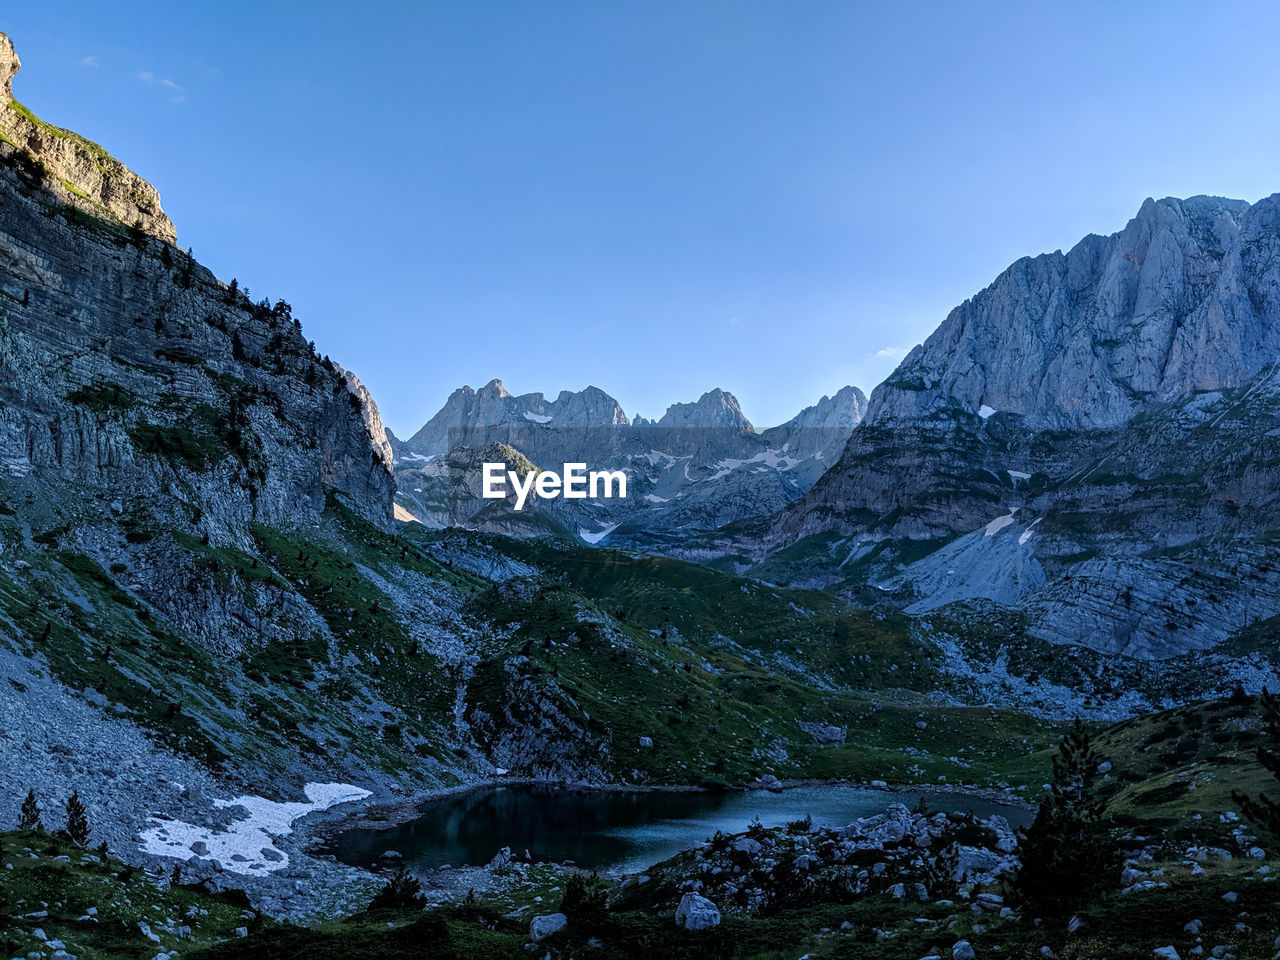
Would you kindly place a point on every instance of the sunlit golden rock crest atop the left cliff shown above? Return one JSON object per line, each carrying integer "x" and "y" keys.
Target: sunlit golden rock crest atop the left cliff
{"x": 77, "y": 171}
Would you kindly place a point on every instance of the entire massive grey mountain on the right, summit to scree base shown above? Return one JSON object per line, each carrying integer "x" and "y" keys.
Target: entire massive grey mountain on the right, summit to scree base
{"x": 1099, "y": 428}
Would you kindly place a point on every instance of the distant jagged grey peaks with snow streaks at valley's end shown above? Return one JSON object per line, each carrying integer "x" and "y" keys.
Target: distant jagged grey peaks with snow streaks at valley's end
{"x": 700, "y": 467}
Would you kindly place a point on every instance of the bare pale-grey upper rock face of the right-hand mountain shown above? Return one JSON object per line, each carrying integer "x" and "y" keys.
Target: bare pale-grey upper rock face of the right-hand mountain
{"x": 1183, "y": 300}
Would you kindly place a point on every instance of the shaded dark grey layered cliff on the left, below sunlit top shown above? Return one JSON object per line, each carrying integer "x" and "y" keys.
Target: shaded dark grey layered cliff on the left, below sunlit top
{"x": 127, "y": 368}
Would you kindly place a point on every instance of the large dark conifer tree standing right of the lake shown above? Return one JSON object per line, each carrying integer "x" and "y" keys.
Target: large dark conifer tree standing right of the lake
{"x": 1067, "y": 860}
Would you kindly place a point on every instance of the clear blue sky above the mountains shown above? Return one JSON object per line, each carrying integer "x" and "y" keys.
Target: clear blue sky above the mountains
{"x": 655, "y": 198}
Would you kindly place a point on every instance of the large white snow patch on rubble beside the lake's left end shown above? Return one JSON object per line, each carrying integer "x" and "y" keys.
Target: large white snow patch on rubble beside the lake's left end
{"x": 253, "y": 839}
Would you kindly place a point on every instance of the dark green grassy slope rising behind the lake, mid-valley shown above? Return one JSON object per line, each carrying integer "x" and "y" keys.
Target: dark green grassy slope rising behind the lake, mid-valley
{"x": 720, "y": 671}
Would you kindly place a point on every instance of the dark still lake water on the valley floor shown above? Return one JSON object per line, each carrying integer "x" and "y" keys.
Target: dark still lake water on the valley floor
{"x": 619, "y": 831}
